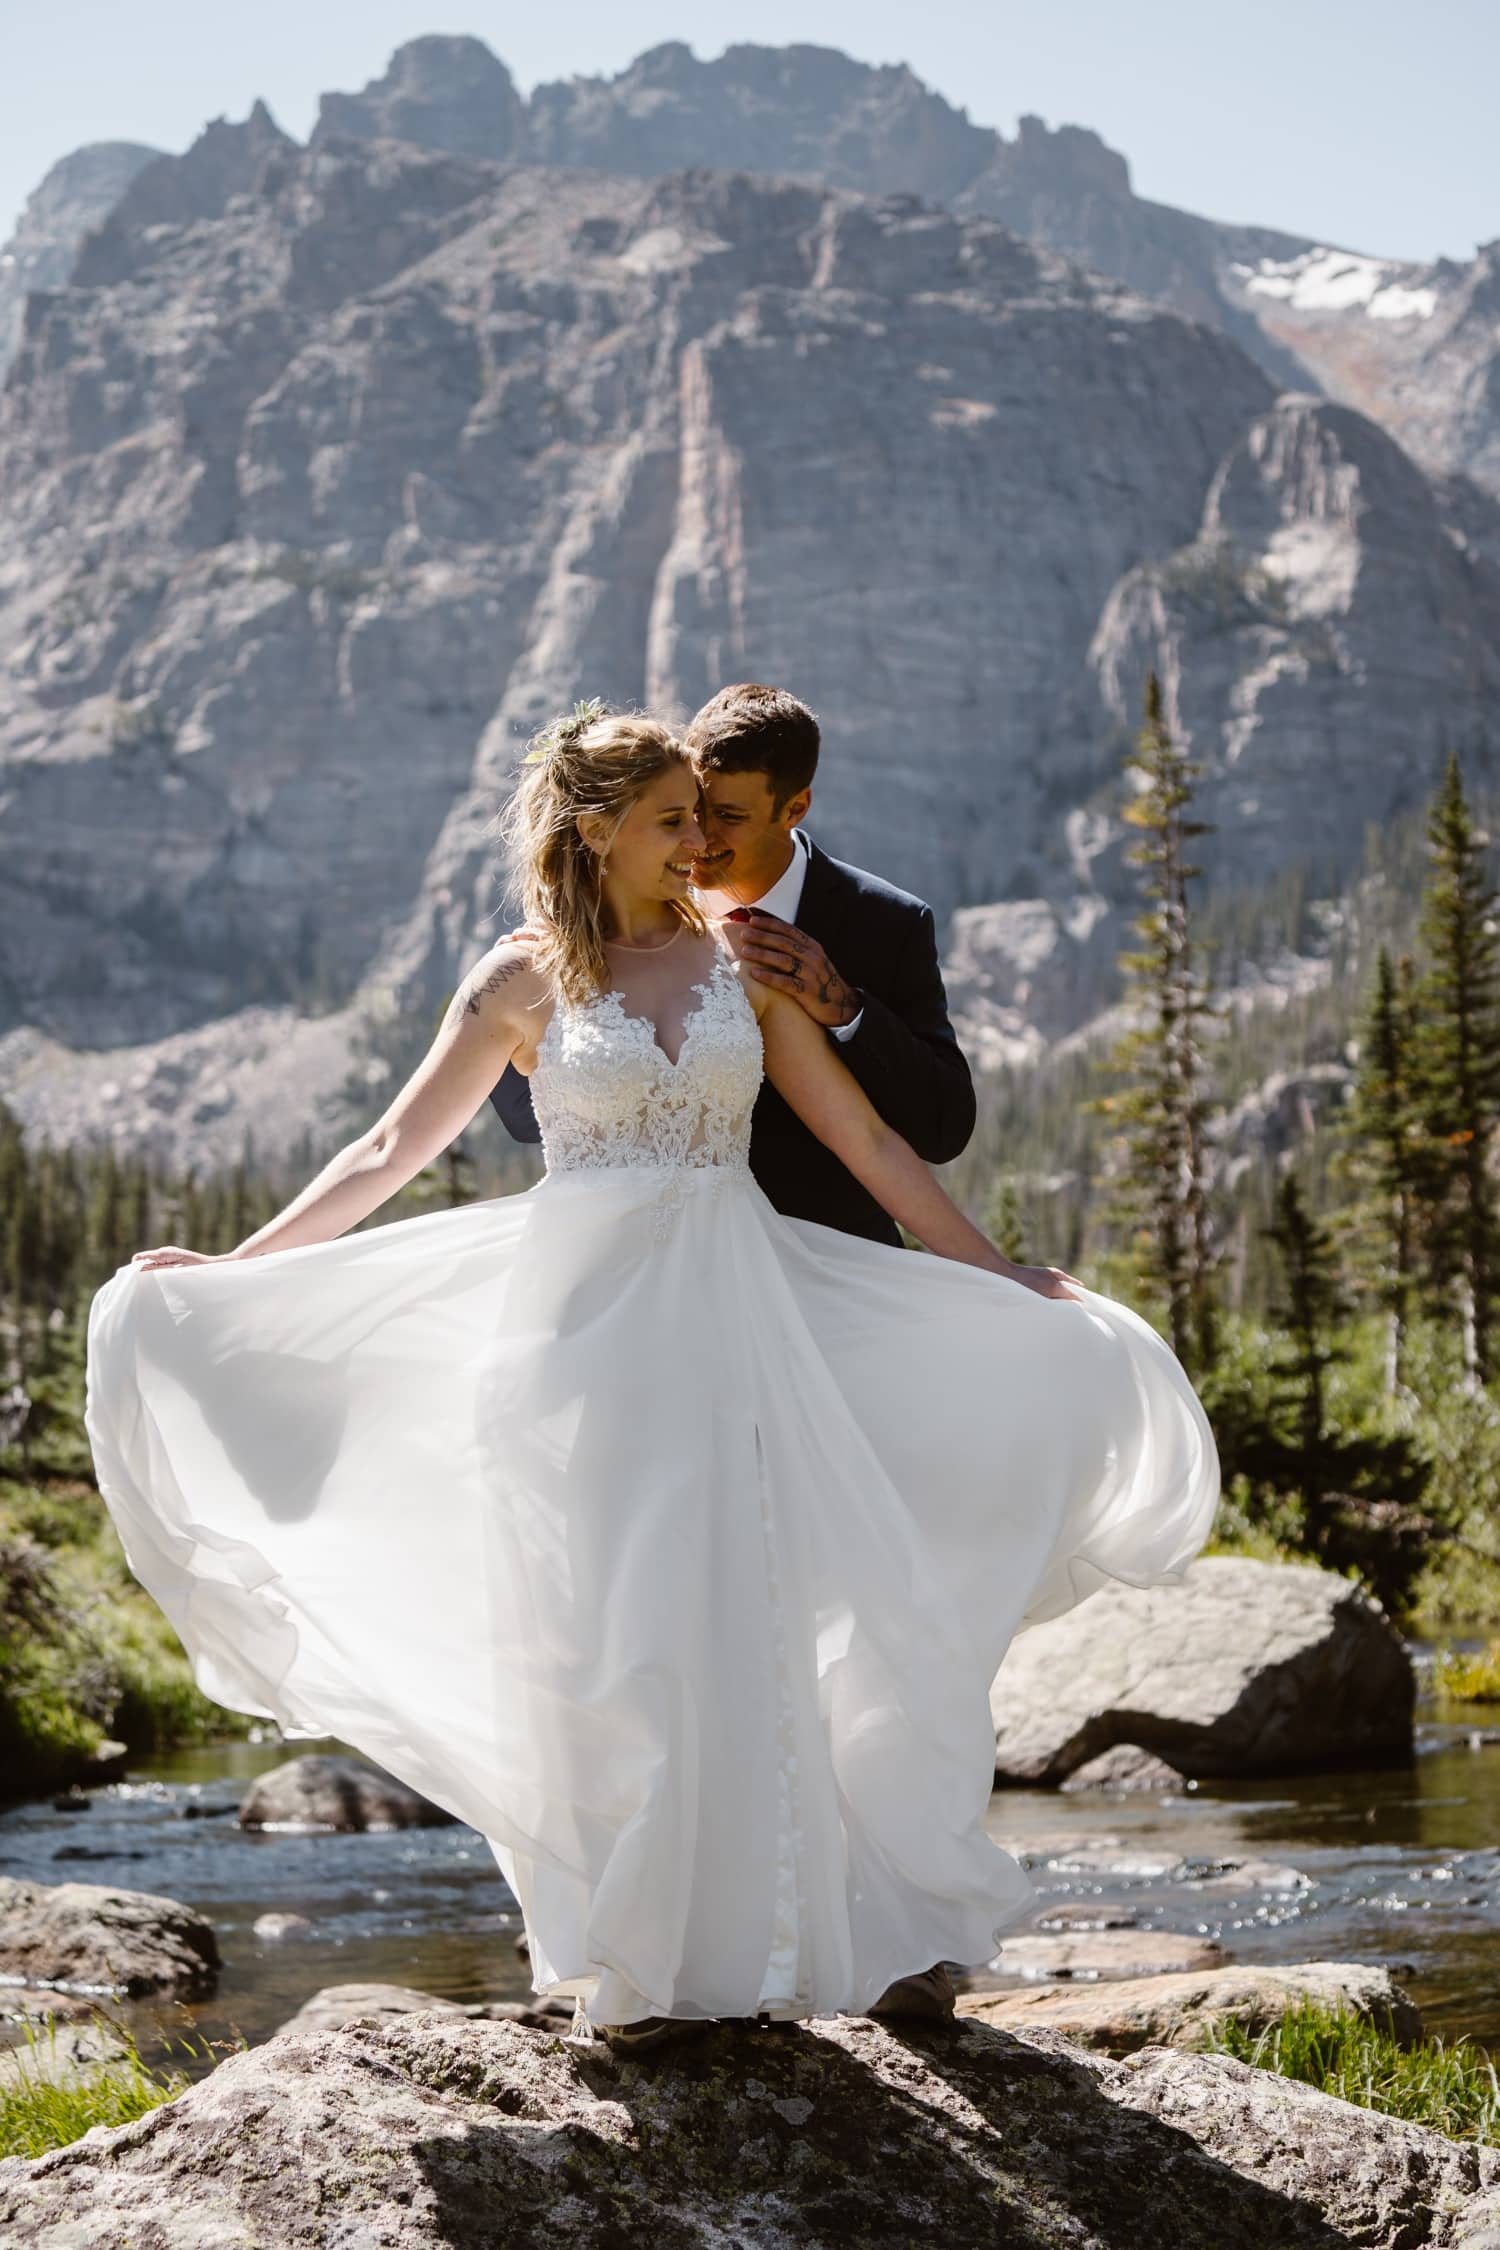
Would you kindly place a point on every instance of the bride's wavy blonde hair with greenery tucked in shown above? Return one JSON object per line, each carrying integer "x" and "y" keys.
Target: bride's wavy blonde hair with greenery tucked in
{"x": 590, "y": 762}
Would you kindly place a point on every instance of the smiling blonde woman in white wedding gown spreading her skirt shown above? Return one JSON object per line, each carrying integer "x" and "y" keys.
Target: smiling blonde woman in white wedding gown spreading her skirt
{"x": 669, "y": 1542}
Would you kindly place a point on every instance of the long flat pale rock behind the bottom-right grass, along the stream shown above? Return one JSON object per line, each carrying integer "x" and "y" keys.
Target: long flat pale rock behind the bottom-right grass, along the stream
{"x": 1186, "y": 2008}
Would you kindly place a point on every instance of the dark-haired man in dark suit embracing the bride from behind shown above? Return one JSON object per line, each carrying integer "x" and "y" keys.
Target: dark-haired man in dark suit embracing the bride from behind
{"x": 856, "y": 953}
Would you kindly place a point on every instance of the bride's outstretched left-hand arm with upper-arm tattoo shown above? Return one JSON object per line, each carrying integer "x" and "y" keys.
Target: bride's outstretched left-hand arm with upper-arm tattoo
{"x": 482, "y": 1029}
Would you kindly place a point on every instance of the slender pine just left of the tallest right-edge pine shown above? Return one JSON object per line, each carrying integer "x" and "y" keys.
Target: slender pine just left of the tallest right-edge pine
{"x": 1384, "y": 1133}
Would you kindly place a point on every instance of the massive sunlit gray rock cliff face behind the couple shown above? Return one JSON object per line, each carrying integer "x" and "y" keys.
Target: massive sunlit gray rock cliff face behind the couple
{"x": 334, "y": 471}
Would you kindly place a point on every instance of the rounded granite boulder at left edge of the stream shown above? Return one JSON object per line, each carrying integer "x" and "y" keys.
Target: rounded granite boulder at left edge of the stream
{"x": 96, "y": 1938}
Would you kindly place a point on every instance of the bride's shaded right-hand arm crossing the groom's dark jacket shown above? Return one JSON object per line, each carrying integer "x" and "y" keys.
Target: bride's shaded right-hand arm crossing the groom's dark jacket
{"x": 829, "y": 1099}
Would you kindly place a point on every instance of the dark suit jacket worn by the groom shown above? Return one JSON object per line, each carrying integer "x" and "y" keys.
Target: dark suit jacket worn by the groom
{"x": 905, "y": 1052}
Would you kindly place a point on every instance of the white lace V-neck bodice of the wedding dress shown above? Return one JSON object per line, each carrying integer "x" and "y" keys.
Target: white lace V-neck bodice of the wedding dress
{"x": 608, "y": 1095}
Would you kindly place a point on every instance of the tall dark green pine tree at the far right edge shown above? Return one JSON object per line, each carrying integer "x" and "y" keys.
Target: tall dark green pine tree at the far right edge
{"x": 1458, "y": 1068}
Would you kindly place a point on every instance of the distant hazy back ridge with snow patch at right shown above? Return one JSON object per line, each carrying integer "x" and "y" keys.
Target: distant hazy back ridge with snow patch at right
{"x": 1416, "y": 348}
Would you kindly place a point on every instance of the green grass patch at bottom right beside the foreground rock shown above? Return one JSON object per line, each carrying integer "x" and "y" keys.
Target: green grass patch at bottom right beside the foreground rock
{"x": 1452, "y": 2089}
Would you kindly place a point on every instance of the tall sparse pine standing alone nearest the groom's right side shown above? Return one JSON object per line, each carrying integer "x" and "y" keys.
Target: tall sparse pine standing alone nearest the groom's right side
{"x": 1164, "y": 1108}
